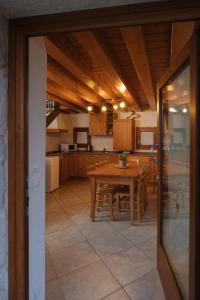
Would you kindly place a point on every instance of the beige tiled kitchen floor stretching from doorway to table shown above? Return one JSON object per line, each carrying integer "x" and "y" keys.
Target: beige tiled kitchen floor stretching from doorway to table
{"x": 100, "y": 260}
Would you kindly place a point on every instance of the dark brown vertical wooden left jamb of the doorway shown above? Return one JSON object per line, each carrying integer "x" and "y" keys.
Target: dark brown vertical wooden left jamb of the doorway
{"x": 17, "y": 166}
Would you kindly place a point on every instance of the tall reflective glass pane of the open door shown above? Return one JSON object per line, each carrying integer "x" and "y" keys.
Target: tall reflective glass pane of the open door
{"x": 176, "y": 176}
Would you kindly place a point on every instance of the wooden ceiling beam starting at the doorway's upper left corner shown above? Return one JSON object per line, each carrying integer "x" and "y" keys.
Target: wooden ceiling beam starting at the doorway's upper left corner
{"x": 64, "y": 56}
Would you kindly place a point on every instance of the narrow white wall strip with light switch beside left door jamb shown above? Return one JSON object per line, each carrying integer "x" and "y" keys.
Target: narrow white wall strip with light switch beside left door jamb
{"x": 37, "y": 123}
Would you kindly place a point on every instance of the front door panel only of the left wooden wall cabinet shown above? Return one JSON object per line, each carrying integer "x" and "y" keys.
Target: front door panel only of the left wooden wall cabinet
{"x": 98, "y": 124}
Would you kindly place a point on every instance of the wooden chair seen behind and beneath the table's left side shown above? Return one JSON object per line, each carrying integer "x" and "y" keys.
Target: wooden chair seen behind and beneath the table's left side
{"x": 105, "y": 193}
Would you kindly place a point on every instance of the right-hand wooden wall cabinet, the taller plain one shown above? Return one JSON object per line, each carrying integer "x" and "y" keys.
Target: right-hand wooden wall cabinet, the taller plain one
{"x": 124, "y": 134}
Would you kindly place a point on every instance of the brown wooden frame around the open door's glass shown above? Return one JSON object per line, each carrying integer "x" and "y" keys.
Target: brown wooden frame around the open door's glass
{"x": 188, "y": 56}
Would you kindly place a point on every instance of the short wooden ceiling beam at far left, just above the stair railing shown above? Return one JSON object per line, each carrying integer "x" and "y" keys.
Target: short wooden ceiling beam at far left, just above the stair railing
{"x": 56, "y": 89}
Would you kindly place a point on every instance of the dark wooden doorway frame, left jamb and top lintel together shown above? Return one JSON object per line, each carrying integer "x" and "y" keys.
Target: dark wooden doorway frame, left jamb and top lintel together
{"x": 20, "y": 30}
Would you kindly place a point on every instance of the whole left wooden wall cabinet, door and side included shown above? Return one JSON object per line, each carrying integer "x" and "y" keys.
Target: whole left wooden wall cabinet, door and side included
{"x": 101, "y": 123}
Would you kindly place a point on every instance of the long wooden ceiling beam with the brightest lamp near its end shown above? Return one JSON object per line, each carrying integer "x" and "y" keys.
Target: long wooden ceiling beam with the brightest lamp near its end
{"x": 90, "y": 42}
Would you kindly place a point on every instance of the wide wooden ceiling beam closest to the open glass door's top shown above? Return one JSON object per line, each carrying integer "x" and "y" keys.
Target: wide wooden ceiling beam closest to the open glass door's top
{"x": 135, "y": 43}
